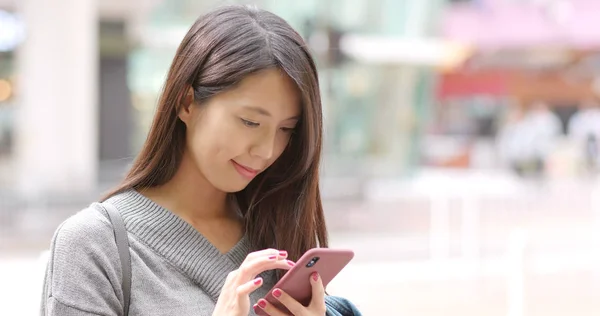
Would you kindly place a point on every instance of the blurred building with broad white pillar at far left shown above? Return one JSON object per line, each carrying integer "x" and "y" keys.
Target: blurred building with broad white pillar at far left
{"x": 67, "y": 112}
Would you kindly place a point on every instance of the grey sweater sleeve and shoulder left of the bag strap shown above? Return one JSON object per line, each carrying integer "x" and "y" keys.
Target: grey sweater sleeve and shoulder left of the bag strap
{"x": 83, "y": 276}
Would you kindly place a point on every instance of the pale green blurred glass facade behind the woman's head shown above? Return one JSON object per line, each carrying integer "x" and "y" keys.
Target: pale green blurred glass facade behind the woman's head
{"x": 374, "y": 109}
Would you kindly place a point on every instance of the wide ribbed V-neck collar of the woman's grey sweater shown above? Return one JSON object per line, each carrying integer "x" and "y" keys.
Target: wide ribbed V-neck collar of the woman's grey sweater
{"x": 179, "y": 242}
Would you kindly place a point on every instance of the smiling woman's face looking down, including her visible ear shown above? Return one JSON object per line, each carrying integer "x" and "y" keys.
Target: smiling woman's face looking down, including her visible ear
{"x": 237, "y": 134}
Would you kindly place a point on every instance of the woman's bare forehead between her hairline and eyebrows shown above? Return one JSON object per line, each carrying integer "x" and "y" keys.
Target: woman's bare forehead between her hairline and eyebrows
{"x": 272, "y": 90}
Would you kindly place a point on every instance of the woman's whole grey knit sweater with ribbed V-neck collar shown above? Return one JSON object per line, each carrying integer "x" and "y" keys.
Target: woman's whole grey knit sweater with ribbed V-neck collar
{"x": 175, "y": 270}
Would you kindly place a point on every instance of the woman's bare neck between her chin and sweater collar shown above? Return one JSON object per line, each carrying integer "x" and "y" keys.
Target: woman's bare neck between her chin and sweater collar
{"x": 190, "y": 195}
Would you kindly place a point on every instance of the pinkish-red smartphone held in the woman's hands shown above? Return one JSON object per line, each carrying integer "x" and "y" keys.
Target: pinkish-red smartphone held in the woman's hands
{"x": 325, "y": 261}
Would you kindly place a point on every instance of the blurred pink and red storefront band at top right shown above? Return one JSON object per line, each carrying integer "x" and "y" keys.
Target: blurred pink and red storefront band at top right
{"x": 530, "y": 50}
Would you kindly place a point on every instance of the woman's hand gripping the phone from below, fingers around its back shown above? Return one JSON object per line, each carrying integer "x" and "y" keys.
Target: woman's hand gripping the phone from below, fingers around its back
{"x": 315, "y": 308}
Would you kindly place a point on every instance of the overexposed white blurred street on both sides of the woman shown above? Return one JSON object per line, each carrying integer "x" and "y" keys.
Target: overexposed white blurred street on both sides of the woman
{"x": 545, "y": 252}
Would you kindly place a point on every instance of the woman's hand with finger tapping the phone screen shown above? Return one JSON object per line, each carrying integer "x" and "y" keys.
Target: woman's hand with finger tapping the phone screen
{"x": 234, "y": 299}
